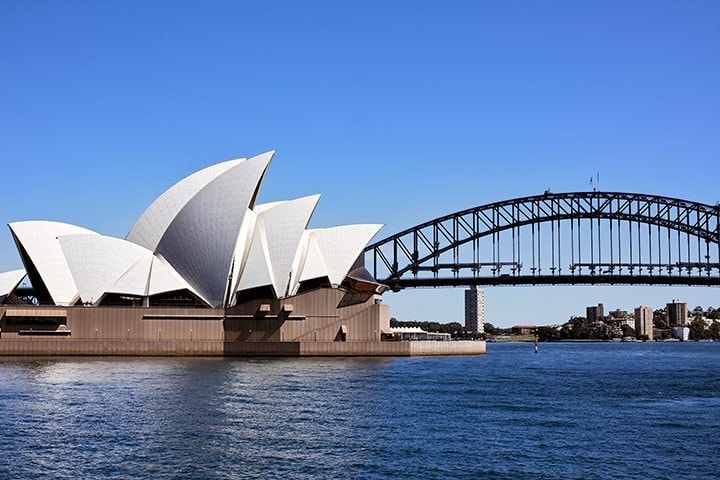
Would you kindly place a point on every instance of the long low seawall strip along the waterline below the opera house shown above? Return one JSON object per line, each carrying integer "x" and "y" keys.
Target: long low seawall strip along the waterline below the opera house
{"x": 69, "y": 347}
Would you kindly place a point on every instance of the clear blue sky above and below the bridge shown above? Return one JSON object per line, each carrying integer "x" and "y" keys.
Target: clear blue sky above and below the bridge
{"x": 396, "y": 112}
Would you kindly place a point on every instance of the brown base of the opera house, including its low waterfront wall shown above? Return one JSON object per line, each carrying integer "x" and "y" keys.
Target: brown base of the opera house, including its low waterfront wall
{"x": 310, "y": 324}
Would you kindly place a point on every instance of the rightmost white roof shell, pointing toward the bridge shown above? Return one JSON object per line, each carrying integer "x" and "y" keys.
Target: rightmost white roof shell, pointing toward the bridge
{"x": 336, "y": 249}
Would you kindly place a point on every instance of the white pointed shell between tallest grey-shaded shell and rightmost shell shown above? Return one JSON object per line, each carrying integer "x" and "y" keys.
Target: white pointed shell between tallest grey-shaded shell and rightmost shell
{"x": 277, "y": 248}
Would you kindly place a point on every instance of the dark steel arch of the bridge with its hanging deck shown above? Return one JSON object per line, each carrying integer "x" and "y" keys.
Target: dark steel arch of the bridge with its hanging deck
{"x": 588, "y": 238}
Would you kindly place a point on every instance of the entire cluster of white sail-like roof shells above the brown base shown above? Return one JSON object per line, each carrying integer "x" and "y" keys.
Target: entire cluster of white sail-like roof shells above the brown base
{"x": 203, "y": 234}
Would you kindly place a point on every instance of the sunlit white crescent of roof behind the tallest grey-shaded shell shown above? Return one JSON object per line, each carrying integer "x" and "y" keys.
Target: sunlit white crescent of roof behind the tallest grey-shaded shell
{"x": 152, "y": 224}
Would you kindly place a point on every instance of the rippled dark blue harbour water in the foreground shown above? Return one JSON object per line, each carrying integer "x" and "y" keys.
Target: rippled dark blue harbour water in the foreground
{"x": 582, "y": 410}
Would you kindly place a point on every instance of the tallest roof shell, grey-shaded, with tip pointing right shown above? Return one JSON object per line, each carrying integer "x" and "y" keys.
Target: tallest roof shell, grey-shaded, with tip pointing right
{"x": 200, "y": 241}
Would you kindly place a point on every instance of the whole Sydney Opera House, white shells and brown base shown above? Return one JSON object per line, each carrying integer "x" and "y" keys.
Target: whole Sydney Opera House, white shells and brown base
{"x": 205, "y": 270}
